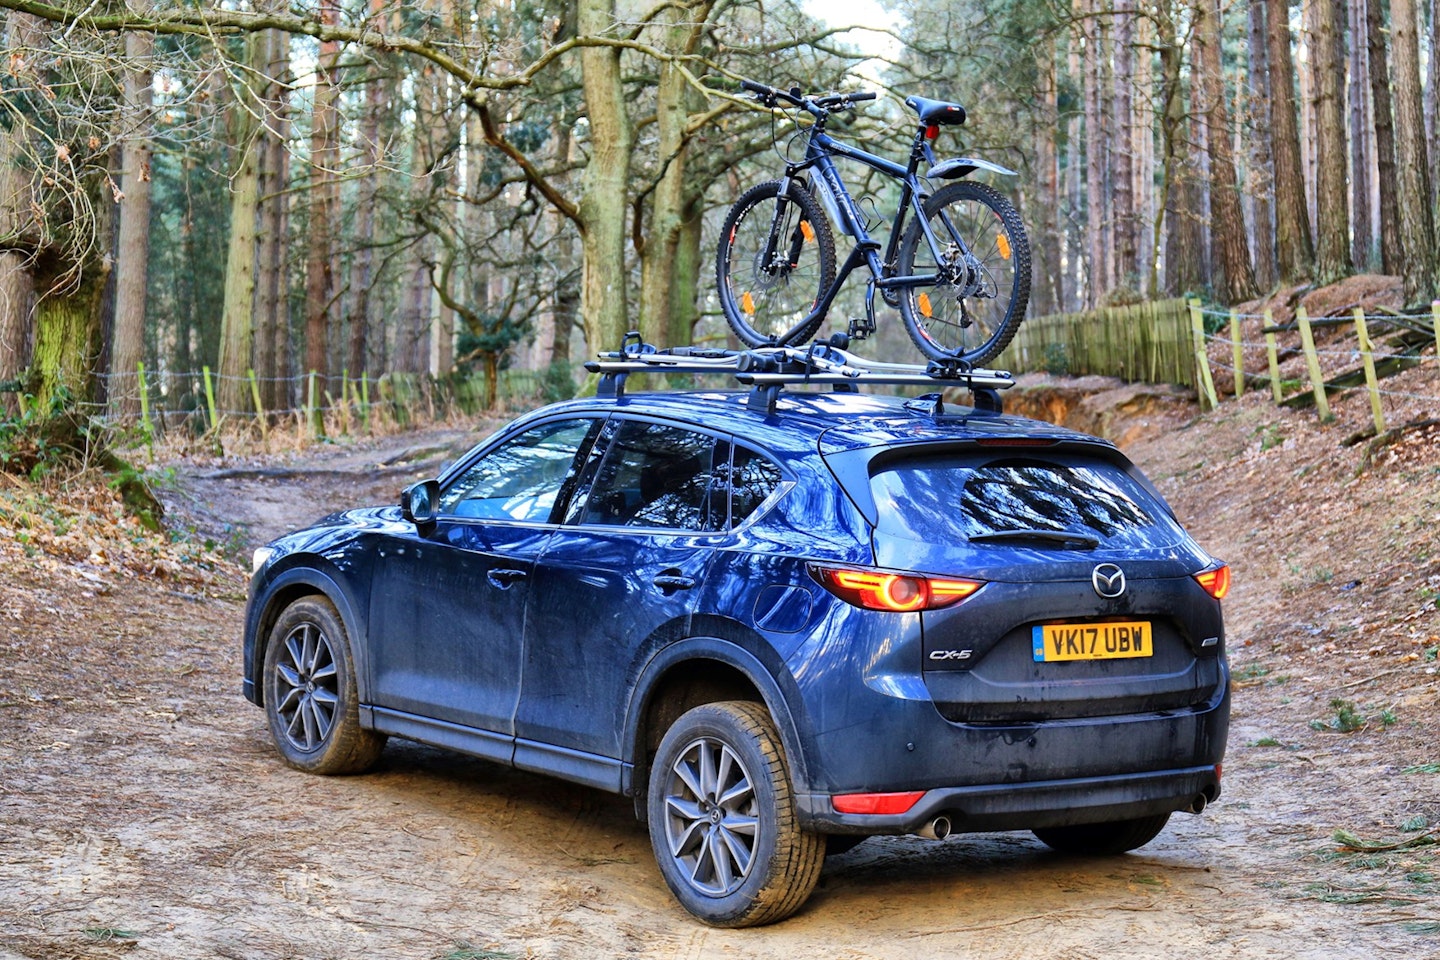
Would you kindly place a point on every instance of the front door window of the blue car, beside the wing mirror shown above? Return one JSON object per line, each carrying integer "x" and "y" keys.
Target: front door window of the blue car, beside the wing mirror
{"x": 521, "y": 480}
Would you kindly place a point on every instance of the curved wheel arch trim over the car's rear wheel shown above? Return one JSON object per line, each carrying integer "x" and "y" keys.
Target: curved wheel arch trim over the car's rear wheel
{"x": 690, "y": 674}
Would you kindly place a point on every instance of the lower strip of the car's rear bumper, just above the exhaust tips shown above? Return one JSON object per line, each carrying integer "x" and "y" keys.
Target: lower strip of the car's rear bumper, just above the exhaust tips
{"x": 1013, "y": 807}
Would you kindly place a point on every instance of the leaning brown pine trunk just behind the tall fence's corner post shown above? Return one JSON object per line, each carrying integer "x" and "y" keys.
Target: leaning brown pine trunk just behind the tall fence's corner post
{"x": 1228, "y": 221}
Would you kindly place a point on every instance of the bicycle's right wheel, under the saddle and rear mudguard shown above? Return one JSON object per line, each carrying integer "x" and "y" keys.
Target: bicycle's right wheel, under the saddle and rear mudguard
{"x": 976, "y": 310}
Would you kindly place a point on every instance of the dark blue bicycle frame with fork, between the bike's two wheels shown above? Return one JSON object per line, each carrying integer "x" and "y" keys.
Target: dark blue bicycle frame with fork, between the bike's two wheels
{"x": 819, "y": 152}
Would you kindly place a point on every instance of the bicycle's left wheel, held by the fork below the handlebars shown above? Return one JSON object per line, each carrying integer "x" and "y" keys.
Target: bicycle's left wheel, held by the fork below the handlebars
{"x": 765, "y": 297}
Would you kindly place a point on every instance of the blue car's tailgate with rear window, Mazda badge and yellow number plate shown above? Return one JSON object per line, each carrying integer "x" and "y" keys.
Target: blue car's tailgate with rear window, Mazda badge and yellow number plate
{"x": 1089, "y": 607}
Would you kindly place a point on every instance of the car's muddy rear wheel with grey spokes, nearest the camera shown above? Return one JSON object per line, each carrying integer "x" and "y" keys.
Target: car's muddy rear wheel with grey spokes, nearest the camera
{"x": 722, "y": 820}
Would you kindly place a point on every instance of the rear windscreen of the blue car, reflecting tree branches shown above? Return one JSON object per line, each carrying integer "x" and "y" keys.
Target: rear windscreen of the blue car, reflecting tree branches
{"x": 963, "y": 497}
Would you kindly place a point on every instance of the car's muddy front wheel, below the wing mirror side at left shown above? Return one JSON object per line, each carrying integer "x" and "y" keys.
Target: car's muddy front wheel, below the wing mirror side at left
{"x": 310, "y": 693}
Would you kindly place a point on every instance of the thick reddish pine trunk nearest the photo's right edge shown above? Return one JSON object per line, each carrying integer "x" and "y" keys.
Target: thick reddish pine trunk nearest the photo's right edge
{"x": 1416, "y": 212}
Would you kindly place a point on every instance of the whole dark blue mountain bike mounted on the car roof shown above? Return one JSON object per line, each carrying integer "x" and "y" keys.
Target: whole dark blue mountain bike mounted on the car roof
{"x": 957, "y": 261}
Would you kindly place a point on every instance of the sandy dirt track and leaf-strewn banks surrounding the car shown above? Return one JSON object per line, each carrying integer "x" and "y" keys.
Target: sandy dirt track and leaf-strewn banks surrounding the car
{"x": 143, "y": 811}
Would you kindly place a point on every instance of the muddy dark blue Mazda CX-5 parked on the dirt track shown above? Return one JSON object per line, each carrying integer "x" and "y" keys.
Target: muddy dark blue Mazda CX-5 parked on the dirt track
{"x": 780, "y": 630}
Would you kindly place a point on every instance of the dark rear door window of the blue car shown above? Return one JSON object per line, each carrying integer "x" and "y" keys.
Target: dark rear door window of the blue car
{"x": 654, "y": 476}
